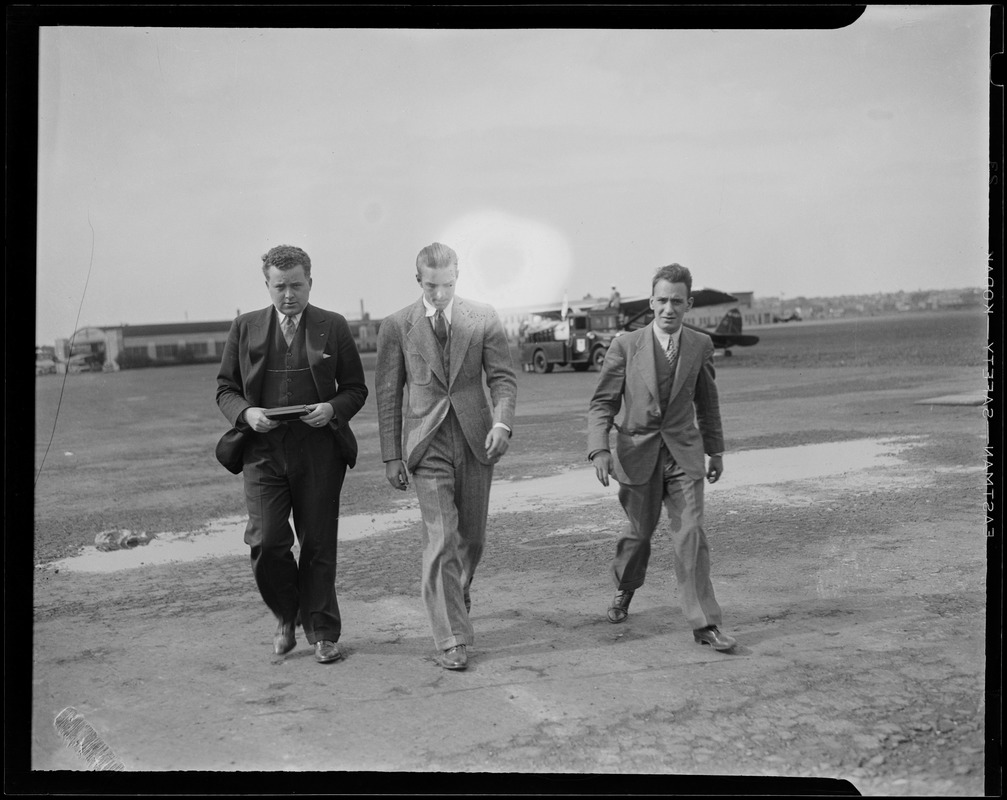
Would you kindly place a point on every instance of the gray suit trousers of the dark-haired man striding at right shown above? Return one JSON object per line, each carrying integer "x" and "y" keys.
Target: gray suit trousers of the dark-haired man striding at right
{"x": 683, "y": 499}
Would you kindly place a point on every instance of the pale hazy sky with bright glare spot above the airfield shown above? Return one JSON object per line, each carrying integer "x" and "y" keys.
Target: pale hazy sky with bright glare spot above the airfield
{"x": 554, "y": 162}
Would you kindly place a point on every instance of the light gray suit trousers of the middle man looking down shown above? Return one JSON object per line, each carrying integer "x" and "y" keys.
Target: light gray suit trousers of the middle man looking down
{"x": 454, "y": 490}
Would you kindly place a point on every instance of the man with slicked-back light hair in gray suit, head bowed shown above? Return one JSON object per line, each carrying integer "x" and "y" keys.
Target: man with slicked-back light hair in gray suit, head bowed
{"x": 444, "y": 432}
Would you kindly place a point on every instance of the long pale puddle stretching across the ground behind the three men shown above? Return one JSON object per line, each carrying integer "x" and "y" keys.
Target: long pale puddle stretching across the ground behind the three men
{"x": 845, "y": 462}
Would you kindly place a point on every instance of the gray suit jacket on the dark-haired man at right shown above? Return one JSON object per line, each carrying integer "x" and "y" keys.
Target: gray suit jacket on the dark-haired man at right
{"x": 690, "y": 425}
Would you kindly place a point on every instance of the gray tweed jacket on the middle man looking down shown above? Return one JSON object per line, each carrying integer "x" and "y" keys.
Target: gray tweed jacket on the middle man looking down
{"x": 409, "y": 359}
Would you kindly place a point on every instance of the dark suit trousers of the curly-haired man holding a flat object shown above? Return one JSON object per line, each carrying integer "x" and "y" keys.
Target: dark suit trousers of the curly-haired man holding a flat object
{"x": 296, "y": 474}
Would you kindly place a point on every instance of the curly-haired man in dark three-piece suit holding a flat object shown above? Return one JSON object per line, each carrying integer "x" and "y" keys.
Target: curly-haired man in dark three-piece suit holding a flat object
{"x": 294, "y": 354}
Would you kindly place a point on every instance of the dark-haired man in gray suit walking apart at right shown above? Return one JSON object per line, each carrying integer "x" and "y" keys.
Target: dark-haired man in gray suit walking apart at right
{"x": 662, "y": 377}
